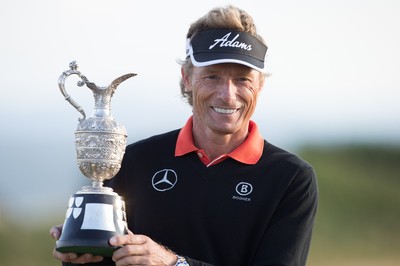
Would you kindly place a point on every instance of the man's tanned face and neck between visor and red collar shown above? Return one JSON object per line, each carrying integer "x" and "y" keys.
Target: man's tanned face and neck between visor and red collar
{"x": 224, "y": 98}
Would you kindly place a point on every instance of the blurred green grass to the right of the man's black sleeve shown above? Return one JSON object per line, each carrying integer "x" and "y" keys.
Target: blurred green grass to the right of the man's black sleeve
{"x": 358, "y": 211}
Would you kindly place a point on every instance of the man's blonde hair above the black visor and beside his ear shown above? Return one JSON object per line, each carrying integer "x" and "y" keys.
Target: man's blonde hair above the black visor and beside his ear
{"x": 229, "y": 17}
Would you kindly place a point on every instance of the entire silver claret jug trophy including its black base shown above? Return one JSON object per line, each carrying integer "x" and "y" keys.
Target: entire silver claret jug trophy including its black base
{"x": 95, "y": 213}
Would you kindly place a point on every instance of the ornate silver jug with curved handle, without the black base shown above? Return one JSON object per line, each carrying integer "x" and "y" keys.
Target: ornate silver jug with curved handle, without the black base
{"x": 100, "y": 140}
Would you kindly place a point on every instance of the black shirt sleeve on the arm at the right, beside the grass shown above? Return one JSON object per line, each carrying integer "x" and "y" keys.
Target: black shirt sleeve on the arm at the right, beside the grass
{"x": 287, "y": 238}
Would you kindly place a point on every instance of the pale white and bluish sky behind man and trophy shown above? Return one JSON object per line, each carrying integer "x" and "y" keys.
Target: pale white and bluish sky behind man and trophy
{"x": 334, "y": 67}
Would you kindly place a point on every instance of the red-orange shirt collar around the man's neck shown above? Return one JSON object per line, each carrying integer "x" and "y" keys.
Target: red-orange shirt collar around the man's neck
{"x": 249, "y": 152}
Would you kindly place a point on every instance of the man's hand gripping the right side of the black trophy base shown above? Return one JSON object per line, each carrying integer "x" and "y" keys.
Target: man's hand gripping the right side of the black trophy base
{"x": 140, "y": 250}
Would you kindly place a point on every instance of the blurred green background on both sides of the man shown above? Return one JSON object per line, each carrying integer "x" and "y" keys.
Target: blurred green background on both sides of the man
{"x": 357, "y": 221}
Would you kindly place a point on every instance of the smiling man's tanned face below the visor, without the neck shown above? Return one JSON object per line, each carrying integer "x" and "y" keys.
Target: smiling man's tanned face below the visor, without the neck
{"x": 224, "y": 96}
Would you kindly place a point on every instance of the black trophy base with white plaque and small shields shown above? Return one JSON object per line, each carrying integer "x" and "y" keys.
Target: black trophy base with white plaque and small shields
{"x": 91, "y": 220}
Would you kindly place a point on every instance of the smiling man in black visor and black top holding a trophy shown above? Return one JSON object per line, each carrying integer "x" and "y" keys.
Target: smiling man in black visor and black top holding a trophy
{"x": 214, "y": 192}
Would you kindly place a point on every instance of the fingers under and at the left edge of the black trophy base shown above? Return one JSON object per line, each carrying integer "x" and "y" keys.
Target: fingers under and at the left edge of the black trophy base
{"x": 55, "y": 233}
